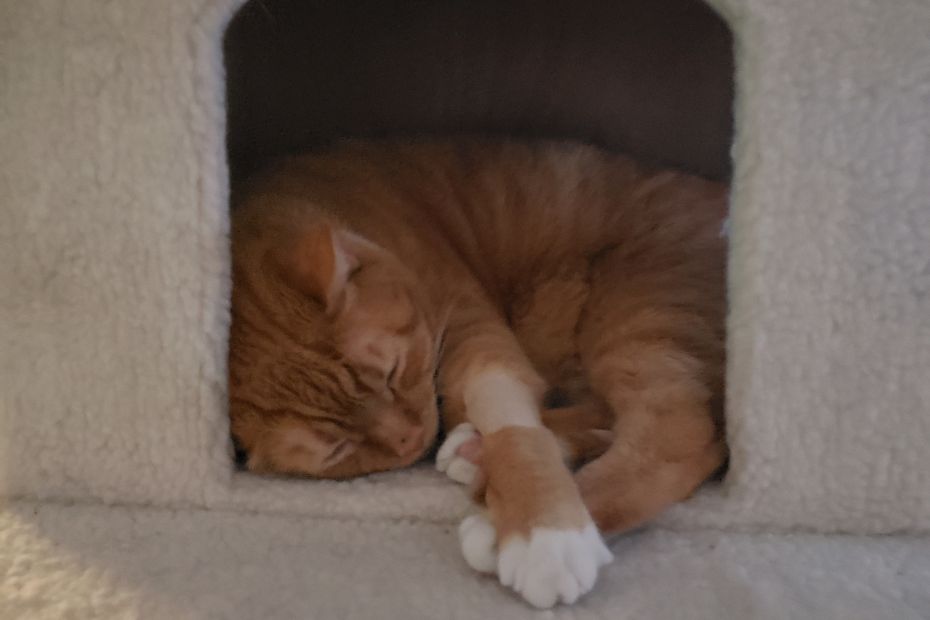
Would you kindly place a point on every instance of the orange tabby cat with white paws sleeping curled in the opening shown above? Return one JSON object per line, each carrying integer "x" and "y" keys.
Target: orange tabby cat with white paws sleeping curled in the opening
{"x": 370, "y": 278}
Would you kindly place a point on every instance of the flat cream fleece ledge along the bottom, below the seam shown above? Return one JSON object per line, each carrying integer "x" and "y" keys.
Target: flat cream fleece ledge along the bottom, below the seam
{"x": 91, "y": 562}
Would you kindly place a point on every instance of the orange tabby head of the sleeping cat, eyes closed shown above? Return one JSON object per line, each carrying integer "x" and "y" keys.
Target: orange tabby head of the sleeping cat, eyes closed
{"x": 333, "y": 352}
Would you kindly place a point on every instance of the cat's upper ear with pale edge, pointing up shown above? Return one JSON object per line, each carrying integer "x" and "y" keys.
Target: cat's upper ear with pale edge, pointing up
{"x": 319, "y": 264}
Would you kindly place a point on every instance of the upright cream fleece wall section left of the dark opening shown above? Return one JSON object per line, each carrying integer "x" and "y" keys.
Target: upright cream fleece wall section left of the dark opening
{"x": 114, "y": 258}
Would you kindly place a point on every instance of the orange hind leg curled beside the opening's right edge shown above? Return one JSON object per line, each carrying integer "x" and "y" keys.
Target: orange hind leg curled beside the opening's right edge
{"x": 652, "y": 344}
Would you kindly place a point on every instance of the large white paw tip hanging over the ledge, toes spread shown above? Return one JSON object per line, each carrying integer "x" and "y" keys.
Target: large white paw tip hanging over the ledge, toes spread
{"x": 552, "y": 565}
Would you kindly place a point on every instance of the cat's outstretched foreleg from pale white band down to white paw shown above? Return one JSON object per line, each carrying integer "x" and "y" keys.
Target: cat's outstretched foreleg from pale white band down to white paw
{"x": 547, "y": 547}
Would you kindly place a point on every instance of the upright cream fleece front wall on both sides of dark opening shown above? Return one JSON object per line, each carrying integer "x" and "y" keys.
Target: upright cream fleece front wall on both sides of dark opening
{"x": 114, "y": 268}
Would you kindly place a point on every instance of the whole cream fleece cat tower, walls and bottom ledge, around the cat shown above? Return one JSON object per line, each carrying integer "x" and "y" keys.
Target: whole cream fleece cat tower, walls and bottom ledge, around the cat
{"x": 120, "y": 497}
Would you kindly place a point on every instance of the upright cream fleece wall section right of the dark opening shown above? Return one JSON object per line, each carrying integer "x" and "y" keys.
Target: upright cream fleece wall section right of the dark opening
{"x": 829, "y": 342}
